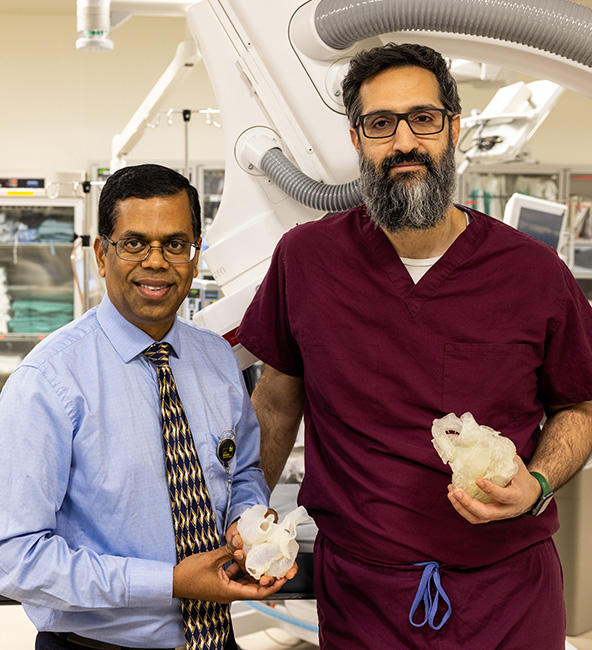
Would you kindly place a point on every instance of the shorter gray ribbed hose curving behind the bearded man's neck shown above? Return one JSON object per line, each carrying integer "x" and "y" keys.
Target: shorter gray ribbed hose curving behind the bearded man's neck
{"x": 314, "y": 194}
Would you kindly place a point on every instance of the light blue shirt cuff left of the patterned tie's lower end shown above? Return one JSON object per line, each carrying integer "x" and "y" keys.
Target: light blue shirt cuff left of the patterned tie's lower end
{"x": 150, "y": 583}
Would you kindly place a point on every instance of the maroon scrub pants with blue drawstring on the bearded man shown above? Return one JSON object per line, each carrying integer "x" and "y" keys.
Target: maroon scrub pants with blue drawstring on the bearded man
{"x": 515, "y": 604}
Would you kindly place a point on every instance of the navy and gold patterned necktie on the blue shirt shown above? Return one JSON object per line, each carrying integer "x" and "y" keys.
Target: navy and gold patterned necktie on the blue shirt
{"x": 207, "y": 624}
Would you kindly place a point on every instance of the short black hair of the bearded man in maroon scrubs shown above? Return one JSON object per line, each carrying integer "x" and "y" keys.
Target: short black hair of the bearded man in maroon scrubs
{"x": 369, "y": 63}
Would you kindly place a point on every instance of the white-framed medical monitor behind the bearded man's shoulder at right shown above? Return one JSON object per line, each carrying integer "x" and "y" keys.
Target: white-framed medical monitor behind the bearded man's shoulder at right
{"x": 544, "y": 220}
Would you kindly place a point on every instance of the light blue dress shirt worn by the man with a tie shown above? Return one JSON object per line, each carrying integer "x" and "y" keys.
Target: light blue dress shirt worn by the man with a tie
{"x": 86, "y": 533}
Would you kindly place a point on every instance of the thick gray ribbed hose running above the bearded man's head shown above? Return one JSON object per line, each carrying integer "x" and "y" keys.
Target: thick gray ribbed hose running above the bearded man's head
{"x": 557, "y": 26}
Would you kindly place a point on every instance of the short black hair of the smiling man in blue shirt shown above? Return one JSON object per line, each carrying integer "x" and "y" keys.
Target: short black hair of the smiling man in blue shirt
{"x": 144, "y": 182}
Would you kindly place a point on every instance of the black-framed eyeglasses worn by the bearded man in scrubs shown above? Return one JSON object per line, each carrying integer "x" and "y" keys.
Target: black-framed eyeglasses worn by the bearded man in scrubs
{"x": 383, "y": 124}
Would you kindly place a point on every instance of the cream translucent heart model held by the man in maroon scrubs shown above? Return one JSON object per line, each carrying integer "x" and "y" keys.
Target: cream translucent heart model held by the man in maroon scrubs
{"x": 473, "y": 452}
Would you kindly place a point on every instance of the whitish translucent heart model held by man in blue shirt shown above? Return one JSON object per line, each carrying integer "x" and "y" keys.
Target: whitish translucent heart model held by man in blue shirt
{"x": 270, "y": 548}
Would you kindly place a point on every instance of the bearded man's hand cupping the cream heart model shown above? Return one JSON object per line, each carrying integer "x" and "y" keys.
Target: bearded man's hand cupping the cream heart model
{"x": 507, "y": 502}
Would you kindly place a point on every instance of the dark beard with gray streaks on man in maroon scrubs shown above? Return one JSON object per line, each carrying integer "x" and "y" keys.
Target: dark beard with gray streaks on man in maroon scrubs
{"x": 407, "y": 201}
